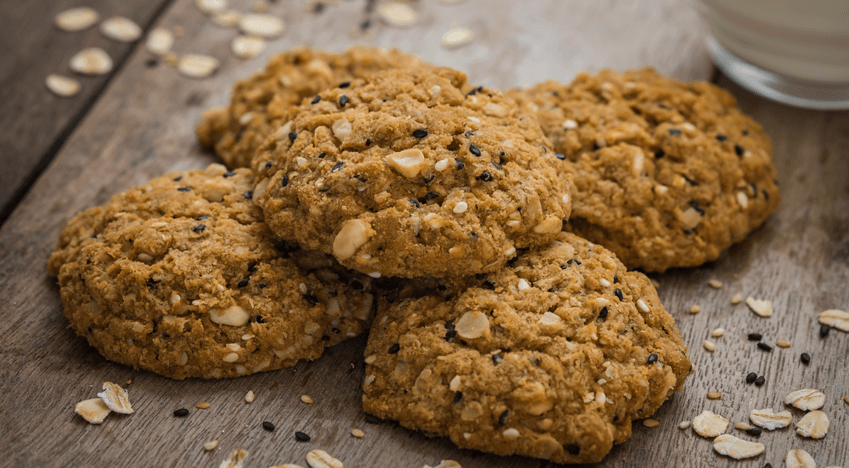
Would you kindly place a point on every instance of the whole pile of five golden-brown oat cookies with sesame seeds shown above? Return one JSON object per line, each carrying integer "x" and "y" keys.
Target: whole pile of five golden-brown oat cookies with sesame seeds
{"x": 378, "y": 184}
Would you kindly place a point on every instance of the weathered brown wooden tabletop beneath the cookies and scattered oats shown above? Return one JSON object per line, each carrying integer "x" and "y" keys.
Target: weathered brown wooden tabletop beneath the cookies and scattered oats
{"x": 61, "y": 155}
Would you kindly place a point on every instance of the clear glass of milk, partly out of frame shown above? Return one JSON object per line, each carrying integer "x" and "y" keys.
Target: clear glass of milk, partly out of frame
{"x": 791, "y": 51}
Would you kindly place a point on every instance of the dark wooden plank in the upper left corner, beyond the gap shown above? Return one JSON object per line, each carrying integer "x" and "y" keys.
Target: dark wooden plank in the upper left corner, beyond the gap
{"x": 33, "y": 121}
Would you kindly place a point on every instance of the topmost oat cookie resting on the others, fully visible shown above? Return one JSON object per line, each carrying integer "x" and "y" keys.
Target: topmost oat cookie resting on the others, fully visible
{"x": 413, "y": 176}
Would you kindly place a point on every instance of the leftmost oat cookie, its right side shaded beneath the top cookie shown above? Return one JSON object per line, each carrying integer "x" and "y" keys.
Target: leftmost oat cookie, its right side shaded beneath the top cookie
{"x": 180, "y": 276}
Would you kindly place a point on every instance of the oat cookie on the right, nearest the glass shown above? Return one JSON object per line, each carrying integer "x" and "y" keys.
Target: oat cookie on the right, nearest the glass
{"x": 668, "y": 174}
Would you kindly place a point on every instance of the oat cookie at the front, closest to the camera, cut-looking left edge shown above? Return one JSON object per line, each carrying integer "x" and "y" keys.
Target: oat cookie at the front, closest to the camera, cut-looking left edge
{"x": 552, "y": 356}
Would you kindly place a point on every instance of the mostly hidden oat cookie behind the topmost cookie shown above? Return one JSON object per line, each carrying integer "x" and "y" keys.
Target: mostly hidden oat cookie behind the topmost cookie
{"x": 258, "y": 103}
